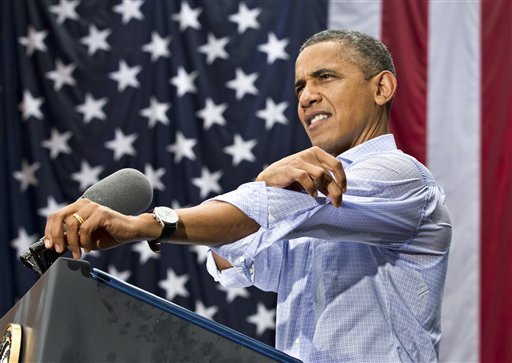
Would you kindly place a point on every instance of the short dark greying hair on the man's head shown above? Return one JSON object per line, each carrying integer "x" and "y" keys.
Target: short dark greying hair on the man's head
{"x": 363, "y": 50}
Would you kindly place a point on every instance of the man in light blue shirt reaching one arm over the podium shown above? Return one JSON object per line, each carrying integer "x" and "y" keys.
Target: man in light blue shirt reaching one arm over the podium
{"x": 357, "y": 280}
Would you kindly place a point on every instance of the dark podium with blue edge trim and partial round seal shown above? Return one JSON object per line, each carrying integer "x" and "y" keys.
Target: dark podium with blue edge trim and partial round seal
{"x": 77, "y": 314}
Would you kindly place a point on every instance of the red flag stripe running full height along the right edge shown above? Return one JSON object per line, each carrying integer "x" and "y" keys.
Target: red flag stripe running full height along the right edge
{"x": 496, "y": 212}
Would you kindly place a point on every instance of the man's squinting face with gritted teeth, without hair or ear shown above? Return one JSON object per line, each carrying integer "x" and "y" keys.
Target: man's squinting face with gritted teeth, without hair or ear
{"x": 336, "y": 104}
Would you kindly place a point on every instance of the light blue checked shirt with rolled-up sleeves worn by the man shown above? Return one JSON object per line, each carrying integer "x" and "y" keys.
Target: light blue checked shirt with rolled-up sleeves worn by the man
{"x": 363, "y": 282}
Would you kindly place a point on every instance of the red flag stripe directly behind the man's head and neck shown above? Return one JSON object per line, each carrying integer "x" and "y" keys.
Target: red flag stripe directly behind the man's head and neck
{"x": 405, "y": 32}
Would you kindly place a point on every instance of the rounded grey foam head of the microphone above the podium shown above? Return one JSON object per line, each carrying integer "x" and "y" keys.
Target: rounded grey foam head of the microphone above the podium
{"x": 127, "y": 191}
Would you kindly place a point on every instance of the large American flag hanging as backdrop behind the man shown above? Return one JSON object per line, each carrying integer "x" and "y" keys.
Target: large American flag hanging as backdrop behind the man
{"x": 198, "y": 95}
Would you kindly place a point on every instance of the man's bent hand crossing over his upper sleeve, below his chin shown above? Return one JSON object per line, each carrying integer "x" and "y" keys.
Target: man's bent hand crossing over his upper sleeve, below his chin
{"x": 311, "y": 170}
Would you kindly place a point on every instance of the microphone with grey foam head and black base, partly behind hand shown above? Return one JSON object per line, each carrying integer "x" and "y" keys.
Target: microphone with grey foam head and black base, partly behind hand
{"x": 127, "y": 191}
